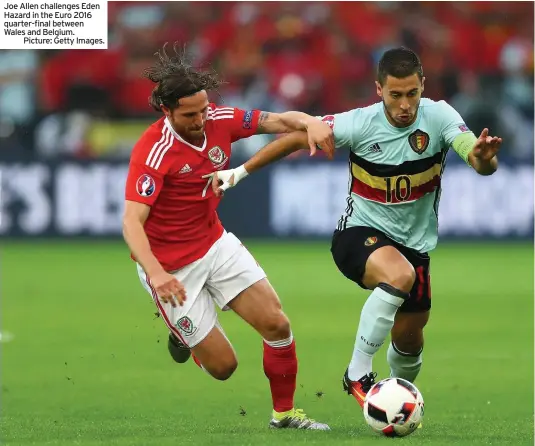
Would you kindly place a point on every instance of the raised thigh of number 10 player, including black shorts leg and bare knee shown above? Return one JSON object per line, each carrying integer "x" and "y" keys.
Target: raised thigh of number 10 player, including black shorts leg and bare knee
{"x": 368, "y": 257}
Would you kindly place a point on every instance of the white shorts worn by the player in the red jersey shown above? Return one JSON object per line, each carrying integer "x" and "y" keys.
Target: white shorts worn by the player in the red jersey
{"x": 226, "y": 270}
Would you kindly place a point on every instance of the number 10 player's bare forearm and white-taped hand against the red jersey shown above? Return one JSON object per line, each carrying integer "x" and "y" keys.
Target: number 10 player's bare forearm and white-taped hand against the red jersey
{"x": 270, "y": 153}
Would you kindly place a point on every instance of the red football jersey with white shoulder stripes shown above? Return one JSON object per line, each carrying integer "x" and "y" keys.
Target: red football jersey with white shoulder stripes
{"x": 166, "y": 173}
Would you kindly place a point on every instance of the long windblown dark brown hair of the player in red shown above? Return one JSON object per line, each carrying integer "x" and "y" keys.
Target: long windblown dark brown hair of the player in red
{"x": 176, "y": 78}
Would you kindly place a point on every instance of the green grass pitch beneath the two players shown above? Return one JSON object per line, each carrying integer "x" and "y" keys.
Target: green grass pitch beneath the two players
{"x": 88, "y": 364}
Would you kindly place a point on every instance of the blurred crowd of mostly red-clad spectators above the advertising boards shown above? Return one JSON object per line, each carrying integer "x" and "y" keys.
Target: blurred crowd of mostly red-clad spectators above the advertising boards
{"x": 317, "y": 57}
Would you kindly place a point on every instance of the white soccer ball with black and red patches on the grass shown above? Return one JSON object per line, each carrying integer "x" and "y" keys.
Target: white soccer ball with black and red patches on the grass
{"x": 394, "y": 407}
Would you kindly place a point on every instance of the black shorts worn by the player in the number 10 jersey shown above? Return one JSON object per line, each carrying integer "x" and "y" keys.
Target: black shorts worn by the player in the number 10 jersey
{"x": 352, "y": 247}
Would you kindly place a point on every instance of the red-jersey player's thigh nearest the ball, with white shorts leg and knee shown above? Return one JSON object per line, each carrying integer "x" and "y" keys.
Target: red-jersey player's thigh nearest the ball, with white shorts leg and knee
{"x": 239, "y": 283}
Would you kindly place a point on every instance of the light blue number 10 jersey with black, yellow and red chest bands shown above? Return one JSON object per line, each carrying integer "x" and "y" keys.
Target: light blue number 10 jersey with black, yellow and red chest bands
{"x": 395, "y": 173}
